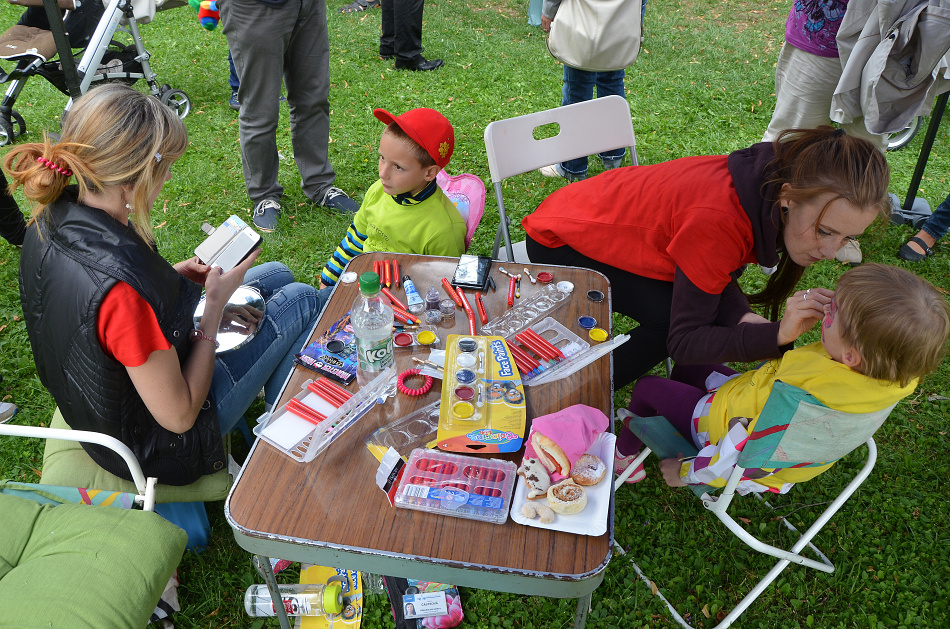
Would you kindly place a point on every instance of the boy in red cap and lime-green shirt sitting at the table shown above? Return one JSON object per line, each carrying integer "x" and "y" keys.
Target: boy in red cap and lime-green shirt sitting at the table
{"x": 405, "y": 211}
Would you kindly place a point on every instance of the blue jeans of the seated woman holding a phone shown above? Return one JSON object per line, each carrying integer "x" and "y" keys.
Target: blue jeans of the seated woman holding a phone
{"x": 291, "y": 312}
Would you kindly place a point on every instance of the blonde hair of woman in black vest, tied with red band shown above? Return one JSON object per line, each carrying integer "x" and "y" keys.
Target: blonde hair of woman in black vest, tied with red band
{"x": 112, "y": 136}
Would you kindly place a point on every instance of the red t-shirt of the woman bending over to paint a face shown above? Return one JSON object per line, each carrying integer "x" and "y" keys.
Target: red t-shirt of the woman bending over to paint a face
{"x": 648, "y": 220}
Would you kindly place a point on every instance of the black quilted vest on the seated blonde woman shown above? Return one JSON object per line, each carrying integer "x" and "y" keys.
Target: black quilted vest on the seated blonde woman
{"x": 66, "y": 268}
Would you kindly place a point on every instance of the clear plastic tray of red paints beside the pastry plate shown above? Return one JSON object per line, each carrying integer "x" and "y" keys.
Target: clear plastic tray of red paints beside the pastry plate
{"x": 457, "y": 485}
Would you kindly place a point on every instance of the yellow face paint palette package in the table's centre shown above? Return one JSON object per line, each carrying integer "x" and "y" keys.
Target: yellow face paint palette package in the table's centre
{"x": 483, "y": 402}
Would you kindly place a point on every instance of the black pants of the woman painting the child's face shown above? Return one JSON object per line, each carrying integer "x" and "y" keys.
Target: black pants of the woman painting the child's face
{"x": 645, "y": 300}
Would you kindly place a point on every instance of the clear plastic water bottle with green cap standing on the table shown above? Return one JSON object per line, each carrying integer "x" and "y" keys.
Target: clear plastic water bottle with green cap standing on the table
{"x": 372, "y": 319}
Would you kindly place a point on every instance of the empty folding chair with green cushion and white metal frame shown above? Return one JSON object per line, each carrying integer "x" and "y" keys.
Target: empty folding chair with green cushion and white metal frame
{"x": 83, "y": 558}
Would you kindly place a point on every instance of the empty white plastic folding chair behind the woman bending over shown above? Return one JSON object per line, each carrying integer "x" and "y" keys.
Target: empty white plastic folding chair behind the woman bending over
{"x": 587, "y": 128}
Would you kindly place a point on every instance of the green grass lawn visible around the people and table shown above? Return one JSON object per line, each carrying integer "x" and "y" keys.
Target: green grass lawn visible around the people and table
{"x": 703, "y": 85}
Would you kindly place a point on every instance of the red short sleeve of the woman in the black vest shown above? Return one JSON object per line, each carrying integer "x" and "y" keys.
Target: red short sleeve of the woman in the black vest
{"x": 128, "y": 328}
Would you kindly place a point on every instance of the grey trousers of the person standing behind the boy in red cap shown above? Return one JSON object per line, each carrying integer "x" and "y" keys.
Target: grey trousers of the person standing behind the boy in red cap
{"x": 268, "y": 44}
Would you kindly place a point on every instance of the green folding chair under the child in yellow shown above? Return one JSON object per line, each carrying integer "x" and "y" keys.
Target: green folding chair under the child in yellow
{"x": 793, "y": 430}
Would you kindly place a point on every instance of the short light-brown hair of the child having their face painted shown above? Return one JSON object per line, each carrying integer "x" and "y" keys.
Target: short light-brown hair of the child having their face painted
{"x": 898, "y": 322}
